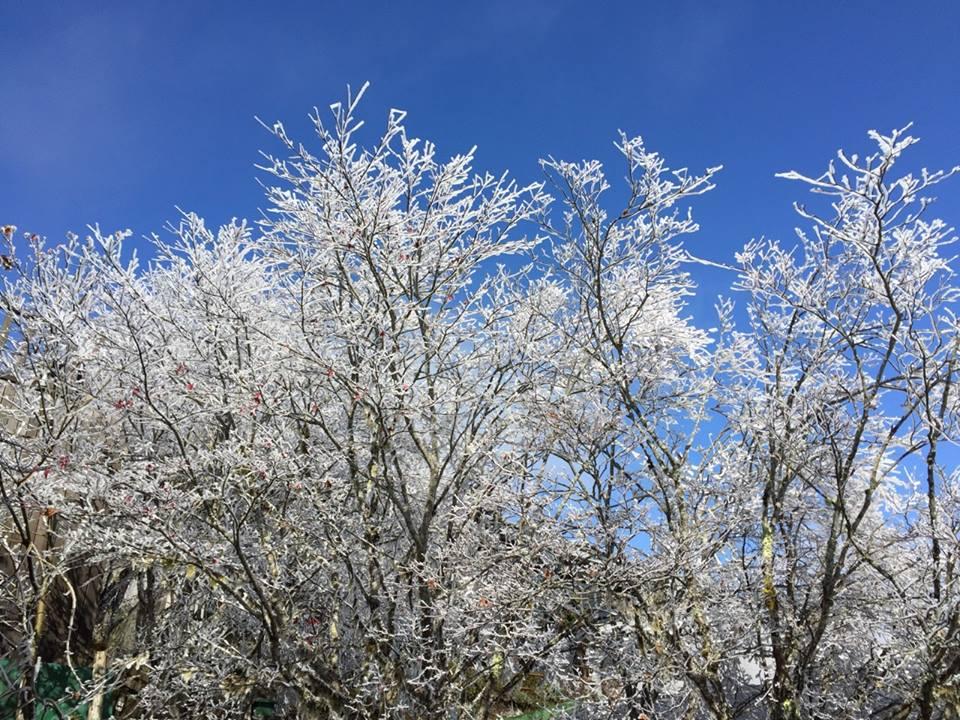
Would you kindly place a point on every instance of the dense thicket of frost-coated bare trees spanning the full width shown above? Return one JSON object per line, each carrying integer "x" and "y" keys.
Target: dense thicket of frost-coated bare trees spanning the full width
{"x": 425, "y": 443}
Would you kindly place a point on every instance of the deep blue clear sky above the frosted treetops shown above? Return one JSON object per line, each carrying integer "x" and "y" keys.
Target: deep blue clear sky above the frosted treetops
{"x": 116, "y": 112}
